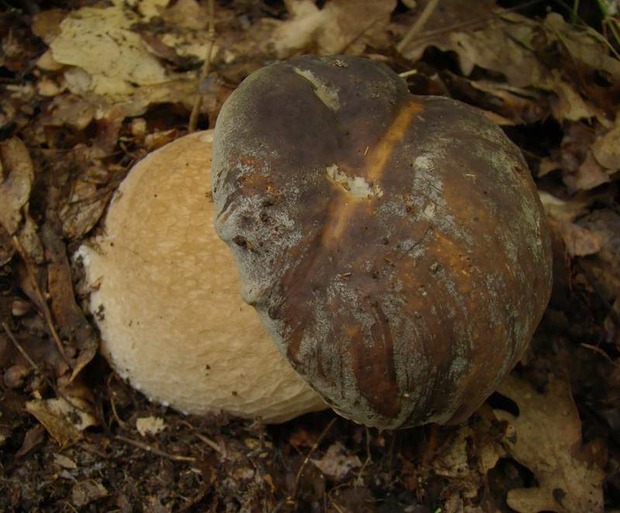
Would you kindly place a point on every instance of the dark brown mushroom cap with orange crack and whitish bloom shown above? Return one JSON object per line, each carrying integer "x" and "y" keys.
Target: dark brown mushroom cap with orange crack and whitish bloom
{"x": 393, "y": 245}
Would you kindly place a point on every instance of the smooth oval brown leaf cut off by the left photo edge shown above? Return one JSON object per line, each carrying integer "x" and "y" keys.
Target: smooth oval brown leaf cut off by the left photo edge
{"x": 16, "y": 176}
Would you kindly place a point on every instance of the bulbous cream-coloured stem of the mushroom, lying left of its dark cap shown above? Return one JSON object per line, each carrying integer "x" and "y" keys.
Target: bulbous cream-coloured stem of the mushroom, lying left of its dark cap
{"x": 165, "y": 296}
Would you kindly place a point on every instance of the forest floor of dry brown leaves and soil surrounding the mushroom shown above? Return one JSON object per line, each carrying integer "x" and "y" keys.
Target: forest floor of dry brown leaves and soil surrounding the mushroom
{"x": 87, "y": 88}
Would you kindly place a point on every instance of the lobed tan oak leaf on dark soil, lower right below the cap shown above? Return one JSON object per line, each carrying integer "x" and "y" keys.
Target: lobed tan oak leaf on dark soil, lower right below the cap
{"x": 547, "y": 440}
